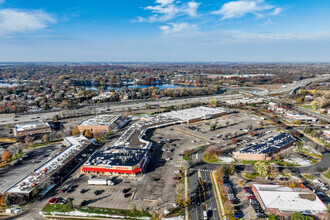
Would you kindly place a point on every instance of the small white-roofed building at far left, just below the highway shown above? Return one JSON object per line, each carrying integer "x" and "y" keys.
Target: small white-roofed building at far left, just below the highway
{"x": 30, "y": 128}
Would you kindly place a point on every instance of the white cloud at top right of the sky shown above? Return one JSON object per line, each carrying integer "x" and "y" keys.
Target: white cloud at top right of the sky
{"x": 237, "y": 9}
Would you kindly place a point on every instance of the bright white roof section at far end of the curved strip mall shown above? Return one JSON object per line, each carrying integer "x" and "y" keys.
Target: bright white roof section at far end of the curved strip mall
{"x": 192, "y": 113}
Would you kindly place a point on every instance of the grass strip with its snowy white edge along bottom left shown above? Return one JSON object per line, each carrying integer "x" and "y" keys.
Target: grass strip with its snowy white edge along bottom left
{"x": 51, "y": 210}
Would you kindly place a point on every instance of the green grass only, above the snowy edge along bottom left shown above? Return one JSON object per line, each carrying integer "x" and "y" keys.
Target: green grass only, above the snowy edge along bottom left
{"x": 64, "y": 208}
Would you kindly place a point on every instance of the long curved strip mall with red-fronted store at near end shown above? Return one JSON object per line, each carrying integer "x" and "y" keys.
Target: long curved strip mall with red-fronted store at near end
{"x": 130, "y": 153}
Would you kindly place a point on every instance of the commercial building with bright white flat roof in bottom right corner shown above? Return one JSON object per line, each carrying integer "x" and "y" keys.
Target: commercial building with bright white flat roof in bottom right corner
{"x": 284, "y": 201}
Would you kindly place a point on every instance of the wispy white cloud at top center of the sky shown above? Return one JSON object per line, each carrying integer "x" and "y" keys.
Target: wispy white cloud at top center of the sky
{"x": 166, "y": 10}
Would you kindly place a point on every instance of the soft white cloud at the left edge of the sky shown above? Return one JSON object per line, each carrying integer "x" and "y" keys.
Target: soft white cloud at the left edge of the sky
{"x": 17, "y": 21}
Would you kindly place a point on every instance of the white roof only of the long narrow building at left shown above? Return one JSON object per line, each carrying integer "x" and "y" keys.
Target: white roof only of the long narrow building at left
{"x": 26, "y": 184}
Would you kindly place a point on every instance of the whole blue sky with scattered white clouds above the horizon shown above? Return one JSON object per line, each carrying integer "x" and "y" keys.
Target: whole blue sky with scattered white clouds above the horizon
{"x": 165, "y": 30}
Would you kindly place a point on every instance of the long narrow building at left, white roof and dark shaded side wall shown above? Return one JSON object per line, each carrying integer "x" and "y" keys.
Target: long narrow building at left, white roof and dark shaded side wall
{"x": 49, "y": 173}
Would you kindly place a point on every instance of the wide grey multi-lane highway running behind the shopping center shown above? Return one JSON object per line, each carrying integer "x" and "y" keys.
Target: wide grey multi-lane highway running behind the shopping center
{"x": 114, "y": 108}
